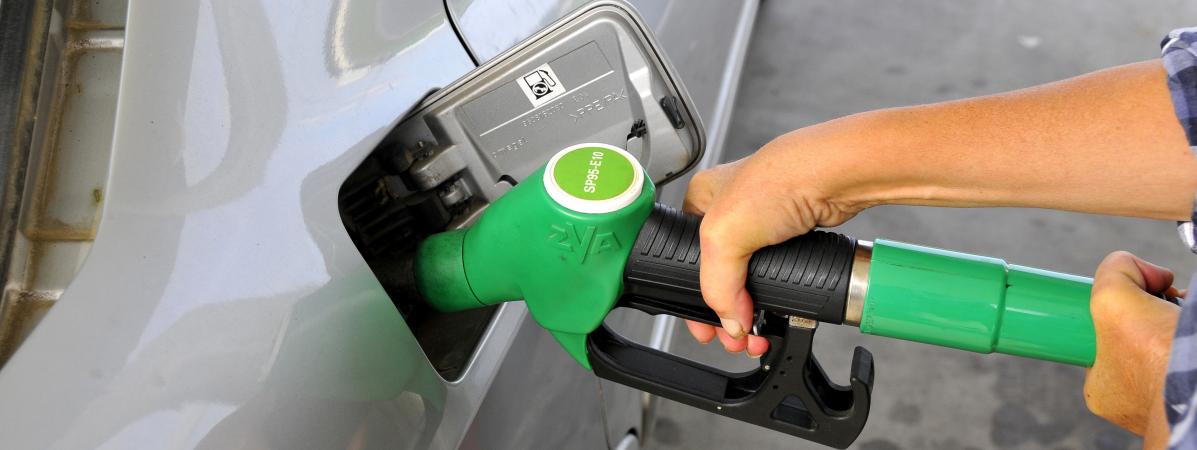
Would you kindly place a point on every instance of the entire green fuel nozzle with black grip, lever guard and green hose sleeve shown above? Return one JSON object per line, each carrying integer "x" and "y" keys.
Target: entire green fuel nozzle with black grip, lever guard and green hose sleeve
{"x": 582, "y": 236}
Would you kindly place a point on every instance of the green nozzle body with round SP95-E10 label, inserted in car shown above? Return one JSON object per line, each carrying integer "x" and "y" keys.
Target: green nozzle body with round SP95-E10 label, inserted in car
{"x": 558, "y": 241}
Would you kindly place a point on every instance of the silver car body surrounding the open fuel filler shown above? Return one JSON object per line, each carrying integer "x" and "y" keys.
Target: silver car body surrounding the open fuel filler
{"x": 223, "y": 305}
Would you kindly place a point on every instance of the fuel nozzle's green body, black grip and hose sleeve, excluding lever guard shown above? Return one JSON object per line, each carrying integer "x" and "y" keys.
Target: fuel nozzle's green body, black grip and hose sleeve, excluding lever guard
{"x": 564, "y": 250}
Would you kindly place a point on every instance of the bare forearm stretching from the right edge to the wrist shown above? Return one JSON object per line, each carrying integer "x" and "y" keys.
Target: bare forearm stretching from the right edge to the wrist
{"x": 1104, "y": 143}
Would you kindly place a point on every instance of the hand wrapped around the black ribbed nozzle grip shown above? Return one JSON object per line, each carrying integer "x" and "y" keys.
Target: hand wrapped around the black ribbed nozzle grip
{"x": 779, "y": 193}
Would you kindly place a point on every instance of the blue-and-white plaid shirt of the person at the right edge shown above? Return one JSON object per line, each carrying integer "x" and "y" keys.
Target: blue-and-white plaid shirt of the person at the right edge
{"x": 1181, "y": 384}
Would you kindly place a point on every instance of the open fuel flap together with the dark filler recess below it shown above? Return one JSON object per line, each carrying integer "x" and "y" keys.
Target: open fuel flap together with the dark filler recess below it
{"x": 596, "y": 76}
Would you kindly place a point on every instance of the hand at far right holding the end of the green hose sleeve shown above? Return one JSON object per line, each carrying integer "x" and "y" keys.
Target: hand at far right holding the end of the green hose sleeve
{"x": 1134, "y": 332}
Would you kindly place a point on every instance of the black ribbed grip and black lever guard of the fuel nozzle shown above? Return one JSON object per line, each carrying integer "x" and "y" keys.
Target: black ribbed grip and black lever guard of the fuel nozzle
{"x": 793, "y": 284}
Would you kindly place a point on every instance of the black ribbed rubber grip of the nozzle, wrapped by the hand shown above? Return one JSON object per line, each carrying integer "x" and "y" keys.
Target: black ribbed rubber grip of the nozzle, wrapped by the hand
{"x": 807, "y": 276}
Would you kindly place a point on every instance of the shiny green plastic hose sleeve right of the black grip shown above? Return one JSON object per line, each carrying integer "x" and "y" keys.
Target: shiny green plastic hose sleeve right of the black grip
{"x": 977, "y": 303}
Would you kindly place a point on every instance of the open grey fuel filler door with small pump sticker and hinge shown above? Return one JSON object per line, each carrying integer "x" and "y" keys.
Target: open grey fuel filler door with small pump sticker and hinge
{"x": 593, "y": 77}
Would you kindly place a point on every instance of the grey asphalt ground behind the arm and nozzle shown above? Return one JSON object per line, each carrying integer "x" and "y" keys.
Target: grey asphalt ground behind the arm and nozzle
{"x": 817, "y": 60}
